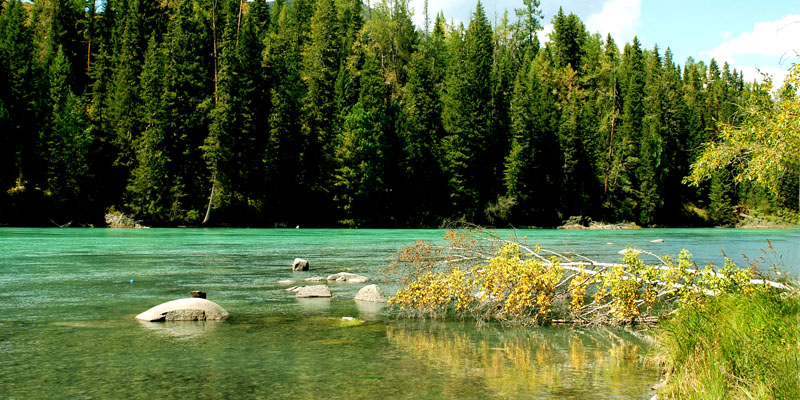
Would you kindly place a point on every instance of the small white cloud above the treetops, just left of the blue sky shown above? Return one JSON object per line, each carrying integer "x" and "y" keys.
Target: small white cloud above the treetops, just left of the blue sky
{"x": 620, "y": 18}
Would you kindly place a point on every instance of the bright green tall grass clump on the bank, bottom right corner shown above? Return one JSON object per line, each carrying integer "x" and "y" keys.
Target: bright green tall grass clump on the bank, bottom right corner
{"x": 733, "y": 346}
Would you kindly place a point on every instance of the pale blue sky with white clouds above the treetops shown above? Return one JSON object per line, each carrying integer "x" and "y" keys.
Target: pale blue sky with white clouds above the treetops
{"x": 750, "y": 35}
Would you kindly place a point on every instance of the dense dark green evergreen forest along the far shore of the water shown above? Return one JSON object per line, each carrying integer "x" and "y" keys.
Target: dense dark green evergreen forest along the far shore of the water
{"x": 326, "y": 113}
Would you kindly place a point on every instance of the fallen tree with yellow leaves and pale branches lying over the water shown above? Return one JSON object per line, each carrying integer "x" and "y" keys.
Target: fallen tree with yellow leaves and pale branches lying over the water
{"x": 476, "y": 273}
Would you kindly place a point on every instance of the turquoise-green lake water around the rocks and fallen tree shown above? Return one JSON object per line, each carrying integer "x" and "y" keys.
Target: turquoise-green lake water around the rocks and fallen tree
{"x": 68, "y": 298}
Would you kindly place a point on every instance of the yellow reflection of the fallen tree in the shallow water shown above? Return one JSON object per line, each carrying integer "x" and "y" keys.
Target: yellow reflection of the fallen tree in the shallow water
{"x": 533, "y": 362}
